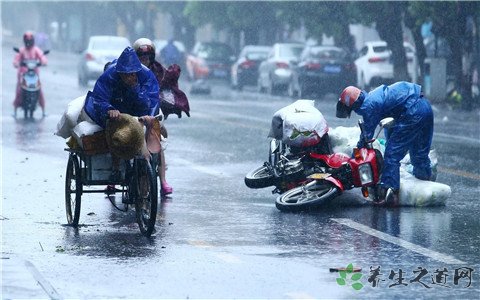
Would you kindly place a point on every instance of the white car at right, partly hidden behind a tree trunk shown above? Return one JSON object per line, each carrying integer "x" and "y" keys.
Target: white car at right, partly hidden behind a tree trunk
{"x": 374, "y": 64}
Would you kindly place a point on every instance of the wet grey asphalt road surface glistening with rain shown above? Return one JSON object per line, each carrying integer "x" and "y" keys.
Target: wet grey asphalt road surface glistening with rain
{"x": 215, "y": 238}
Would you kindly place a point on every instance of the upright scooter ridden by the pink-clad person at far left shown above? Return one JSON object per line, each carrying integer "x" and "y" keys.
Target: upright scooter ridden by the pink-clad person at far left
{"x": 30, "y": 85}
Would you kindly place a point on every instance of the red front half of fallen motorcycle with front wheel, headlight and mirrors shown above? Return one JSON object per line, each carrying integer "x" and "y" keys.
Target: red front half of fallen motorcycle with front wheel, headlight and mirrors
{"x": 340, "y": 172}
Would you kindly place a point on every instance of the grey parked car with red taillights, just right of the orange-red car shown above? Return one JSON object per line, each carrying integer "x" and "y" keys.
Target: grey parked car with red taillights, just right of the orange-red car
{"x": 245, "y": 68}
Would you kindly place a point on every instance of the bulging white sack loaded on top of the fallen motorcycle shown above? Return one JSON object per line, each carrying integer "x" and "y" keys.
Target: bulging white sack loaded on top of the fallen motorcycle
{"x": 299, "y": 124}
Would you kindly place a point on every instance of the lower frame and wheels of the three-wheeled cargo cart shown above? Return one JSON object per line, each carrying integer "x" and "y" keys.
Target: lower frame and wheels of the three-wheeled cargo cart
{"x": 136, "y": 179}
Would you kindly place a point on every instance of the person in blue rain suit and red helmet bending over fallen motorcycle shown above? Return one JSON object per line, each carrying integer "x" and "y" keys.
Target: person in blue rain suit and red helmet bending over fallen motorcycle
{"x": 412, "y": 132}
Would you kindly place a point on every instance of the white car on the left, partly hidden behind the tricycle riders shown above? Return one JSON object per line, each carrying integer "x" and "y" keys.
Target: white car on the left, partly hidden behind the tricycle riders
{"x": 100, "y": 50}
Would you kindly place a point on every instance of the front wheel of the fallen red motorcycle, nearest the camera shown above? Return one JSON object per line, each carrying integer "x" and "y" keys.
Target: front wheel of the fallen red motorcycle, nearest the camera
{"x": 306, "y": 197}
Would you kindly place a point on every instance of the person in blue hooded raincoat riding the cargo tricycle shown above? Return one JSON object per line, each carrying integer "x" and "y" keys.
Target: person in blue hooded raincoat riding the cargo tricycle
{"x": 126, "y": 86}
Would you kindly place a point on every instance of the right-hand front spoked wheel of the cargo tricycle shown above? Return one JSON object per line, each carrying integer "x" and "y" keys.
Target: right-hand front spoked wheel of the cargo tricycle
{"x": 145, "y": 183}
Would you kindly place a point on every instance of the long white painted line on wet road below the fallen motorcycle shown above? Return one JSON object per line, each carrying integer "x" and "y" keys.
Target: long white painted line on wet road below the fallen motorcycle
{"x": 399, "y": 242}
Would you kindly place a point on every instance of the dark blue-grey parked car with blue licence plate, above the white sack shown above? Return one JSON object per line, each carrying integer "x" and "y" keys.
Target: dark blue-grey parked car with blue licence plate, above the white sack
{"x": 322, "y": 69}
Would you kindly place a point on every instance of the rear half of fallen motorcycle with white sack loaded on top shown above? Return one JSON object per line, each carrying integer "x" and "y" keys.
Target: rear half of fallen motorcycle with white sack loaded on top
{"x": 297, "y": 130}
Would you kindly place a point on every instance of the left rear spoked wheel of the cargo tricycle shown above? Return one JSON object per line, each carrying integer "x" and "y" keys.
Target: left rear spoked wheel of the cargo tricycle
{"x": 73, "y": 190}
